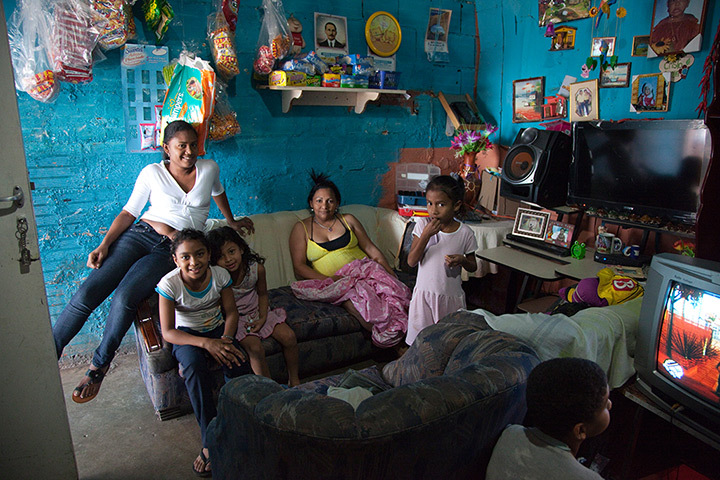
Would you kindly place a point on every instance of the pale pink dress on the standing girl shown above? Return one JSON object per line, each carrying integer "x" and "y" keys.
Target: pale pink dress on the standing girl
{"x": 438, "y": 290}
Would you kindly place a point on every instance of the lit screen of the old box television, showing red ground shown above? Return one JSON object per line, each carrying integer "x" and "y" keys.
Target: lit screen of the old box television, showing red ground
{"x": 689, "y": 349}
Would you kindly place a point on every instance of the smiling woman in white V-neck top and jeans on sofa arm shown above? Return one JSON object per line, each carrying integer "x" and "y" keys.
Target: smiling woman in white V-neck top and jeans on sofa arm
{"x": 134, "y": 256}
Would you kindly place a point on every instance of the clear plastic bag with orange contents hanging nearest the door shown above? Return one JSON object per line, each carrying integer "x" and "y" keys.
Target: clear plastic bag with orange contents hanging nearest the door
{"x": 30, "y": 43}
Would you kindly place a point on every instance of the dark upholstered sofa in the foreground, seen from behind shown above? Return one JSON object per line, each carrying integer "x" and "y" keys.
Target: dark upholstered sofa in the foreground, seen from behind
{"x": 438, "y": 412}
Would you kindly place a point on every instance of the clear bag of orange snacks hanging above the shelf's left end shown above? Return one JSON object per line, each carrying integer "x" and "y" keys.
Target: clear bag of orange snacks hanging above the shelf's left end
{"x": 274, "y": 41}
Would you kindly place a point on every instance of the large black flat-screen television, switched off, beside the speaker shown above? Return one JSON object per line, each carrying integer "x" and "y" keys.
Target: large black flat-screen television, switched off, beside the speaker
{"x": 652, "y": 167}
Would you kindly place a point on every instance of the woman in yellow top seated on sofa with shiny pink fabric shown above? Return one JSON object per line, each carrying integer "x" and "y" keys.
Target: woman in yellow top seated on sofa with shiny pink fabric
{"x": 341, "y": 265}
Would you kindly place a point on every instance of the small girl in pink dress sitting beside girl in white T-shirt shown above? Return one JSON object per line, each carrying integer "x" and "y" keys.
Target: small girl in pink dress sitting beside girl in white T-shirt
{"x": 257, "y": 321}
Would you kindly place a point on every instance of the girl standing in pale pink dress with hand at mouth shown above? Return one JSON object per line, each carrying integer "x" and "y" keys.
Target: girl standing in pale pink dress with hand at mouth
{"x": 442, "y": 247}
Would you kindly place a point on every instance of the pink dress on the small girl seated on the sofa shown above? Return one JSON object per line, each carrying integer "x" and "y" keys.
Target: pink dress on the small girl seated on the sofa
{"x": 246, "y": 300}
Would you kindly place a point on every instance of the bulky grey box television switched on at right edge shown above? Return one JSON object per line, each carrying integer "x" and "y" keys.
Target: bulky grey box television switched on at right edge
{"x": 677, "y": 354}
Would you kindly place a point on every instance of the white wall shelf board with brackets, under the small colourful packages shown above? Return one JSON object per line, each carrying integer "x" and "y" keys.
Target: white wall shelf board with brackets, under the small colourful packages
{"x": 329, "y": 96}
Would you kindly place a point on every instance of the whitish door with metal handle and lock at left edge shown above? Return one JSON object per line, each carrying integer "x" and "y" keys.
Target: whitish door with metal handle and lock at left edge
{"x": 35, "y": 441}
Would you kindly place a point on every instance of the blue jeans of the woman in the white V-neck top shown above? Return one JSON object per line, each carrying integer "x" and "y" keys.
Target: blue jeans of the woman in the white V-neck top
{"x": 136, "y": 262}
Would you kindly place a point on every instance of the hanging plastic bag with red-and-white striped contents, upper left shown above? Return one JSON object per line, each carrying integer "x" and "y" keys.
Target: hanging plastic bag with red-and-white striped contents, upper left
{"x": 77, "y": 28}
